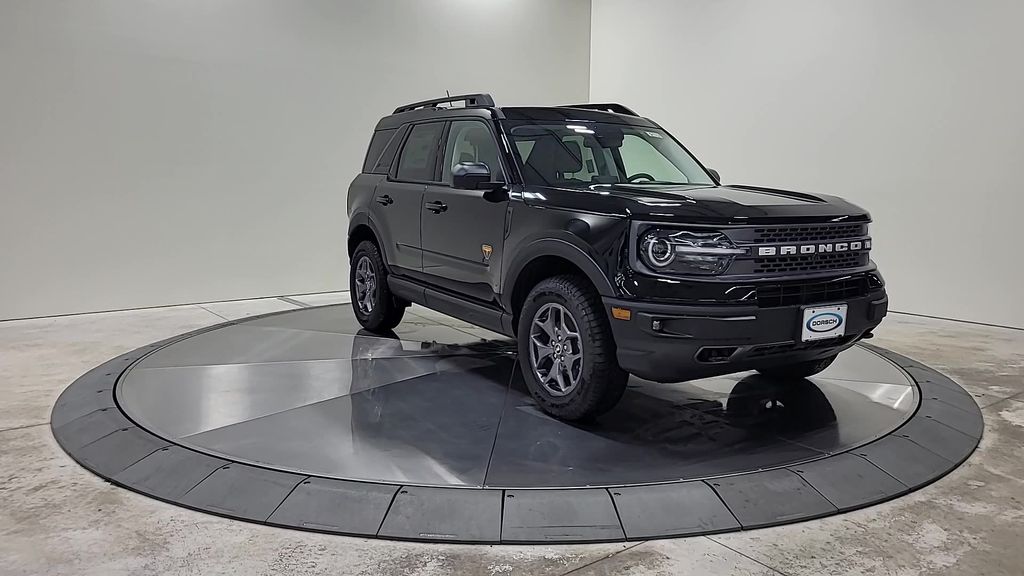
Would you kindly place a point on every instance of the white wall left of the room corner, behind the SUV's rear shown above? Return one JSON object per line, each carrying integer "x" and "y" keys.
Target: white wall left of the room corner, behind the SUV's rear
{"x": 165, "y": 152}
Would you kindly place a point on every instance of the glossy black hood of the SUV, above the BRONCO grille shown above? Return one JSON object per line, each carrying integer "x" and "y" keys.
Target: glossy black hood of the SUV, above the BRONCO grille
{"x": 697, "y": 204}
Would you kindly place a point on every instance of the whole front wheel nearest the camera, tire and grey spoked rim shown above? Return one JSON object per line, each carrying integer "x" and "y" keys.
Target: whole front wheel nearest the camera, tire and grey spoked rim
{"x": 568, "y": 352}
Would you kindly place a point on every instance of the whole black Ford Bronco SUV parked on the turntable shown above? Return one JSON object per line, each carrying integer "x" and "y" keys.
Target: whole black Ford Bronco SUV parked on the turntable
{"x": 593, "y": 237}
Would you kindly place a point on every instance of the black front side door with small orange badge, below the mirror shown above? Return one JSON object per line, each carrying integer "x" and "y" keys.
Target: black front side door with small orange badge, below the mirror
{"x": 463, "y": 231}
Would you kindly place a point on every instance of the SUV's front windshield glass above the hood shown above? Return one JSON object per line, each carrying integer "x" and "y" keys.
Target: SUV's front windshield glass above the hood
{"x": 582, "y": 154}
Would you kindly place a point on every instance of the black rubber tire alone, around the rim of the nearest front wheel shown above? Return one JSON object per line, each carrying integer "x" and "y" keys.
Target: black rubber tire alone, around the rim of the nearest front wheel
{"x": 603, "y": 382}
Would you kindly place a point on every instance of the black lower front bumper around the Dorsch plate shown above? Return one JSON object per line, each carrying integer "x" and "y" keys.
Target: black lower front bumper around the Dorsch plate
{"x": 697, "y": 342}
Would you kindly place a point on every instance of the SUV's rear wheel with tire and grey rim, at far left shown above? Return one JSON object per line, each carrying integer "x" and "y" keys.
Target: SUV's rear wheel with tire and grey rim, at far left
{"x": 375, "y": 307}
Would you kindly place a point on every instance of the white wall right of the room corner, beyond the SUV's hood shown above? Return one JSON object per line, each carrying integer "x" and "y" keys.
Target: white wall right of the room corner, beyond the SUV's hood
{"x": 914, "y": 109}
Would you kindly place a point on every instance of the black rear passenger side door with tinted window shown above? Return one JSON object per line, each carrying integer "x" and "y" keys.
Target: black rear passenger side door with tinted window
{"x": 399, "y": 200}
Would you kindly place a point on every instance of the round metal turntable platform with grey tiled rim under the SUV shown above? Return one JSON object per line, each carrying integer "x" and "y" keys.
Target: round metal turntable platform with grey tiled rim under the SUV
{"x": 302, "y": 420}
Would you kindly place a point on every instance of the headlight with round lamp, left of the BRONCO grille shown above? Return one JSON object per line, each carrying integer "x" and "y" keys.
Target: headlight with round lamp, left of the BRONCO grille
{"x": 688, "y": 253}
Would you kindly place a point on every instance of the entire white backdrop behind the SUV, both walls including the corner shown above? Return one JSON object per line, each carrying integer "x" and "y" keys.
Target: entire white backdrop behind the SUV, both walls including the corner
{"x": 158, "y": 153}
